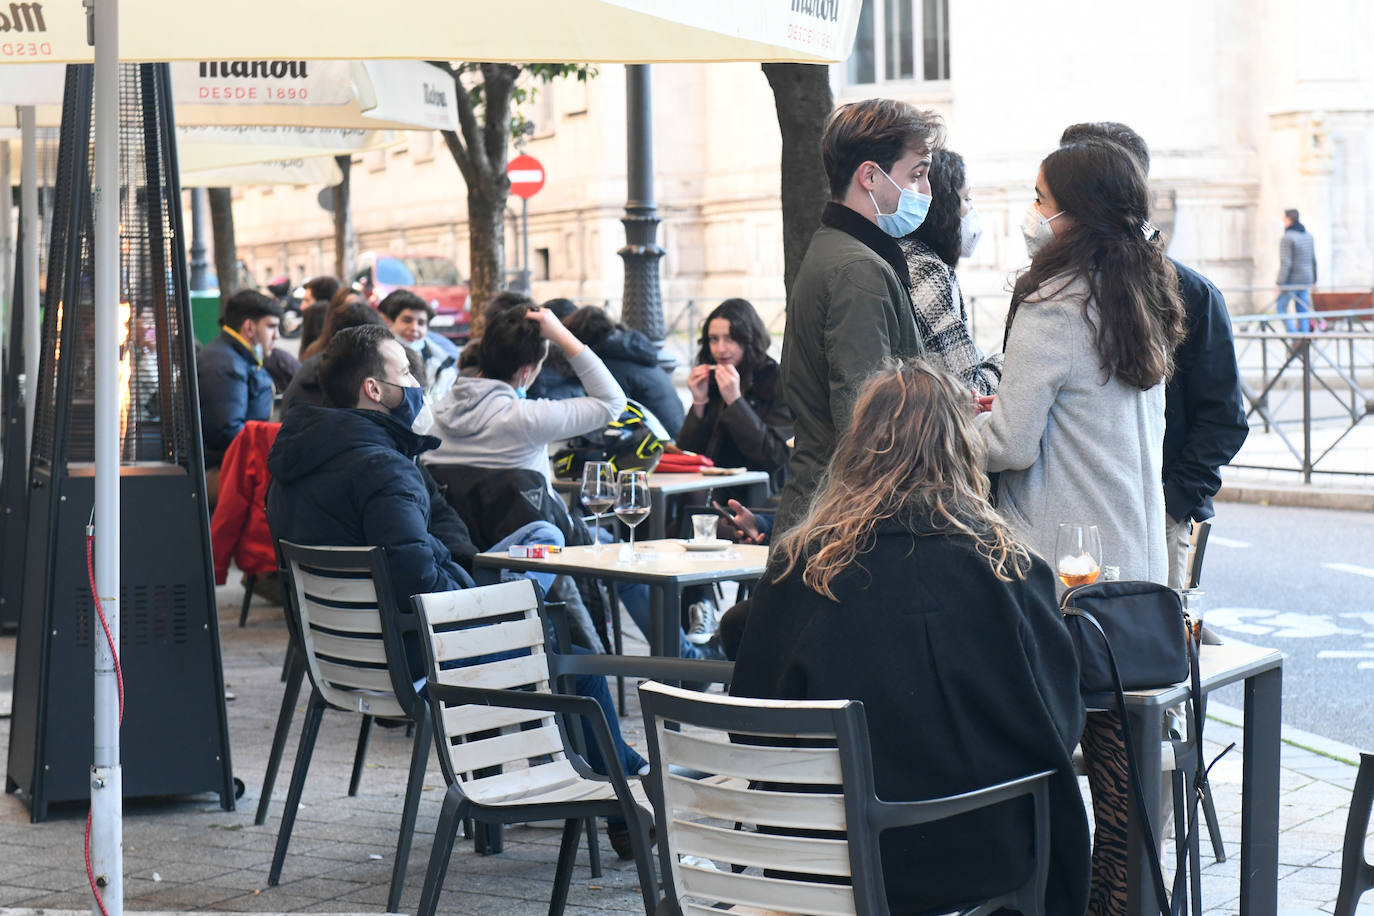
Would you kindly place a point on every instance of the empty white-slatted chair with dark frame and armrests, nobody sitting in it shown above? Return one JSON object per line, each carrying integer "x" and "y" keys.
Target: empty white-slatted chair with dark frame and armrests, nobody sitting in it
{"x": 505, "y": 746}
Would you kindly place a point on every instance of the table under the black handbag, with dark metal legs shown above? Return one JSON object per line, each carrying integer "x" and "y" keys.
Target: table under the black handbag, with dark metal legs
{"x": 1262, "y": 669}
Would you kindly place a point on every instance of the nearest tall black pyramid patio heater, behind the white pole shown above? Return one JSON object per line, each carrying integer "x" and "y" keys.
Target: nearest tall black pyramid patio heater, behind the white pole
{"x": 175, "y": 734}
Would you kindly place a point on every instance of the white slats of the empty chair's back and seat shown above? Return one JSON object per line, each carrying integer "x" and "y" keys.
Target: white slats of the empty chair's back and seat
{"x": 493, "y": 638}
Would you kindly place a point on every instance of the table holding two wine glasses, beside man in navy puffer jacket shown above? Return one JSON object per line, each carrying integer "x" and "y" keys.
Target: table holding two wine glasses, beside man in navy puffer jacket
{"x": 666, "y": 566}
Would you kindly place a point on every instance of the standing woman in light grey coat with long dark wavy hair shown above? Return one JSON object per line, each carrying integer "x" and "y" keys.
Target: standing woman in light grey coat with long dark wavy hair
{"x": 1078, "y": 425}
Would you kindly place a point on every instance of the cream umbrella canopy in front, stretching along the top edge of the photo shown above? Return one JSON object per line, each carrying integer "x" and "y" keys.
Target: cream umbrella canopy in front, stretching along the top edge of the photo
{"x": 554, "y": 31}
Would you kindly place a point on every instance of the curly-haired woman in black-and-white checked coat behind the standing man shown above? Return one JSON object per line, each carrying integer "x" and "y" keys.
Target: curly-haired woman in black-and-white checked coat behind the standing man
{"x": 950, "y": 233}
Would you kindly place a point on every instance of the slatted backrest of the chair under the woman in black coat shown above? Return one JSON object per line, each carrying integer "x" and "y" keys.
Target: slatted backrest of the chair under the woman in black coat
{"x": 785, "y": 774}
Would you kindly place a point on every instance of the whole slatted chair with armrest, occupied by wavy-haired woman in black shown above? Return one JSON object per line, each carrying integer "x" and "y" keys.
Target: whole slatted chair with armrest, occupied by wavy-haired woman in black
{"x": 825, "y": 759}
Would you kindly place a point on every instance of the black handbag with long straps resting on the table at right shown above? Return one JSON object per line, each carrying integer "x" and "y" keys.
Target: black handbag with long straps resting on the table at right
{"x": 1145, "y": 621}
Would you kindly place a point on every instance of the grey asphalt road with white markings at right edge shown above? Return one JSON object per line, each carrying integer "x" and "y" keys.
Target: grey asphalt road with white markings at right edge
{"x": 1302, "y": 582}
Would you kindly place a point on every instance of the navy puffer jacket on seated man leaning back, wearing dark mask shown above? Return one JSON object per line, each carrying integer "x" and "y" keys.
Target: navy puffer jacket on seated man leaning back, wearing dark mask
{"x": 348, "y": 479}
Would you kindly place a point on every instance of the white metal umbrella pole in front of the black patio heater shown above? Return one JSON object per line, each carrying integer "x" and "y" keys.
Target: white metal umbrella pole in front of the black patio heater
{"x": 106, "y": 777}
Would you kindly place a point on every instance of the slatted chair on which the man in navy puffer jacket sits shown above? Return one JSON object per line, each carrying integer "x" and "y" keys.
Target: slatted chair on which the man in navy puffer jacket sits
{"x": 350, "y": 637}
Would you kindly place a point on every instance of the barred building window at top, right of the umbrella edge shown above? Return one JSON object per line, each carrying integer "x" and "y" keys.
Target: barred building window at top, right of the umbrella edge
{"x": 901, "y": 42}
